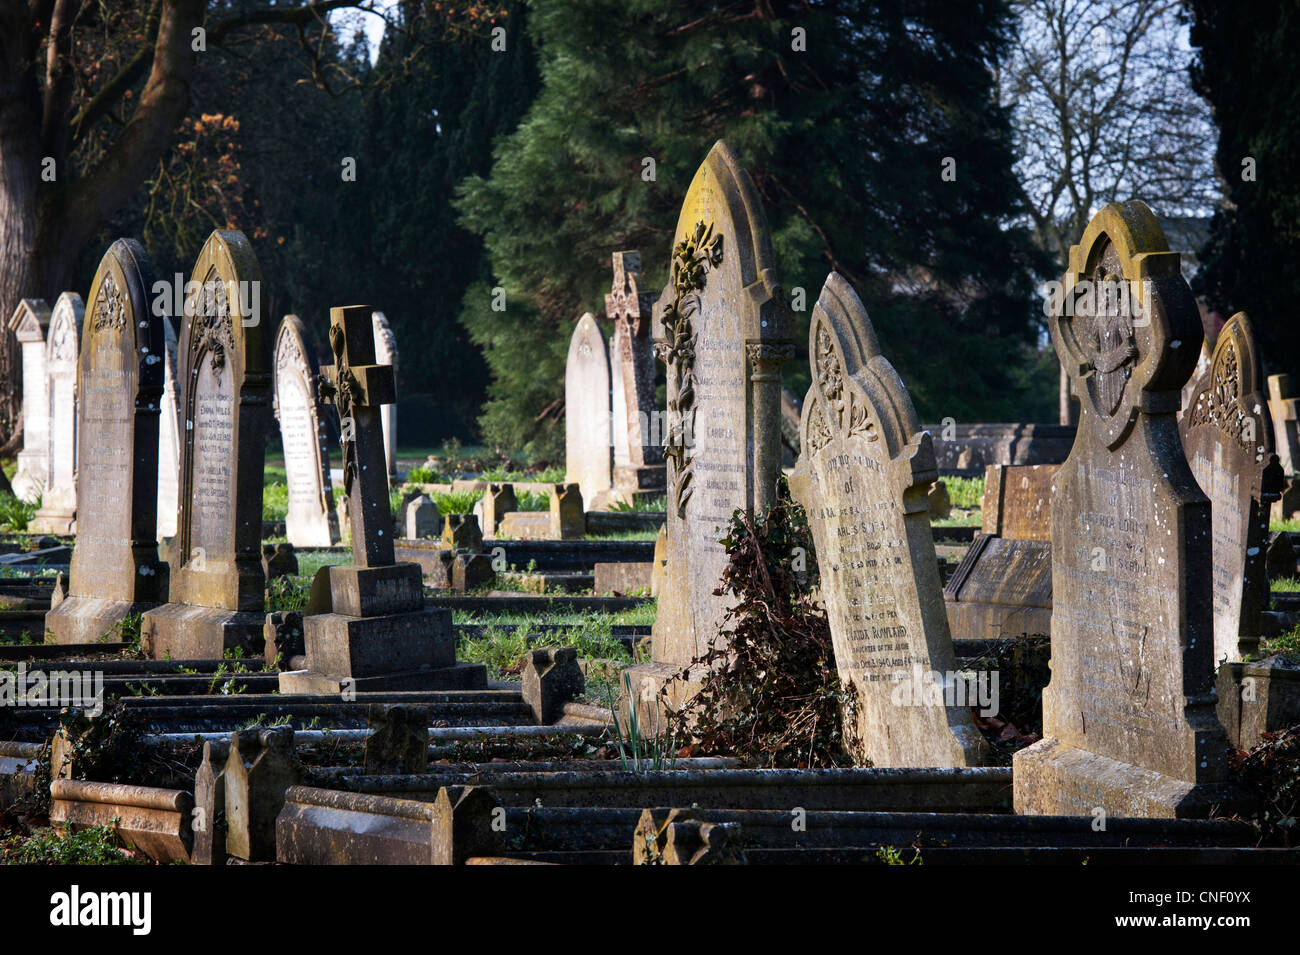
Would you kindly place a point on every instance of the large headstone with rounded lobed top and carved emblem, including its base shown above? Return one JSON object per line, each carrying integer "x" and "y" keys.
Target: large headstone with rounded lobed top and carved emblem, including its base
{"x": 1129, "y": 718}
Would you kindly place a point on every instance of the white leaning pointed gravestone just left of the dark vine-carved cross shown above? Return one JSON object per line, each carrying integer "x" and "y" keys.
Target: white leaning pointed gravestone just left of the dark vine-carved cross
{"x": 311, "y": 520}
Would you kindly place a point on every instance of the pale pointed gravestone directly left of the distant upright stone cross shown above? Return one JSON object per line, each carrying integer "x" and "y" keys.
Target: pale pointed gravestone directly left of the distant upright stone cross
{"x": 587, "y": 410}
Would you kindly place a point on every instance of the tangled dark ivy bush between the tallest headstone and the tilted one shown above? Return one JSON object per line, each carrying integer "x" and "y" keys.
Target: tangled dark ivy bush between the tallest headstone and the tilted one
{"x": 772, "y": 693}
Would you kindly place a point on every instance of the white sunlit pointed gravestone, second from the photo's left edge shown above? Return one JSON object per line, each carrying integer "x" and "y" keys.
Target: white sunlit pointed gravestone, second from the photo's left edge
{"x": 58, "y": 514}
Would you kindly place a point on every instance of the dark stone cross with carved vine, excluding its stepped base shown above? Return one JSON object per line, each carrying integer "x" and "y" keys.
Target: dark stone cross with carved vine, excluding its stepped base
{"x": 357, "y": 385}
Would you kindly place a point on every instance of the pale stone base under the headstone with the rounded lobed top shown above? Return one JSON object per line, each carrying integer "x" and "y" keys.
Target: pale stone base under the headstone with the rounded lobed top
{"x": 1051, "y": 779}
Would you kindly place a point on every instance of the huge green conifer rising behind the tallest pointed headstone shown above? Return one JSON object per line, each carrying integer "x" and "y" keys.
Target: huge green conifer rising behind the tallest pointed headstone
{"x": 846, "y": 129}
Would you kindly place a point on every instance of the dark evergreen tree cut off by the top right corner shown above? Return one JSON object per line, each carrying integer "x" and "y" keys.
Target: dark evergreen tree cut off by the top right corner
{"x": 1249, "y": 73}
